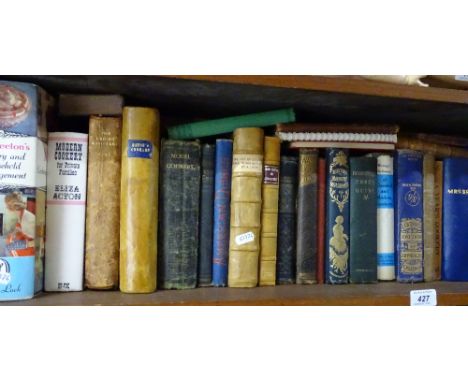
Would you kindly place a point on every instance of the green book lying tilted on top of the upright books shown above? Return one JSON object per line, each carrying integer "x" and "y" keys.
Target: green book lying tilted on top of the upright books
{"x": 228, "y": 125}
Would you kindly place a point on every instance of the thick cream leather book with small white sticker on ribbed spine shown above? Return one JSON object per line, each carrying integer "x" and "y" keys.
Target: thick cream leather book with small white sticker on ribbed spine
{"x": 246, "y": 205}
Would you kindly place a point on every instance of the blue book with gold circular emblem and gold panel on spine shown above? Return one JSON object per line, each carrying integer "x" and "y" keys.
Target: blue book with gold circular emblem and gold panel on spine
{"x": 408, "y": 166}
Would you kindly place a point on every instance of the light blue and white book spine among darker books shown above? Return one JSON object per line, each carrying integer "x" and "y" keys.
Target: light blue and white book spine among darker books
{"x": 385, "y": 219}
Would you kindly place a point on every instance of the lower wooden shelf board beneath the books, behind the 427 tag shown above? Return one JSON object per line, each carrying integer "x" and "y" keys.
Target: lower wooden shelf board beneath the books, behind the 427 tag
{"x": 390, "y": 293}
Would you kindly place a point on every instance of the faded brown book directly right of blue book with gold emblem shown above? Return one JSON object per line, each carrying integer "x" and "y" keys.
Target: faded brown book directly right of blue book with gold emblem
{"x": 429, "y": 256}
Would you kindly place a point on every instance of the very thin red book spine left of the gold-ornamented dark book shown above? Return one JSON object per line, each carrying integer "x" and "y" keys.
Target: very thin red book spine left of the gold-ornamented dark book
{"x": 321, "y": 174}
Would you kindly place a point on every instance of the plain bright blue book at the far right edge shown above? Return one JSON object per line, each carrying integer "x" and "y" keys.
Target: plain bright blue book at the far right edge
{"x": 455, "y": 220}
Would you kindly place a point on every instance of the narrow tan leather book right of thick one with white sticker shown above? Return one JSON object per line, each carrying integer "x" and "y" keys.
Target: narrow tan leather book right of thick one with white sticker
{"x": 270, "y": 195}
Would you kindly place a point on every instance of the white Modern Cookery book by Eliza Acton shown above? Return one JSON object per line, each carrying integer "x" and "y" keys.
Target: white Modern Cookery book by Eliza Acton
{"x": 66, "y": 210}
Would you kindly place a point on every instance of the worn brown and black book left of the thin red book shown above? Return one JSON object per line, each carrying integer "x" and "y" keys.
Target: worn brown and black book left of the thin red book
{"x": 306, "y": 227}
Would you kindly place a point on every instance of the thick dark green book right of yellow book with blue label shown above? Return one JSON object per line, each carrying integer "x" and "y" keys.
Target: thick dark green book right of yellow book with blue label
{"x": 179, "y": 214}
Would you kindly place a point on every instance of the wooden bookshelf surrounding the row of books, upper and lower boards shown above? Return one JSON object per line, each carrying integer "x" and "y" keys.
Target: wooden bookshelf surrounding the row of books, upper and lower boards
{"x": 181, "y": 98}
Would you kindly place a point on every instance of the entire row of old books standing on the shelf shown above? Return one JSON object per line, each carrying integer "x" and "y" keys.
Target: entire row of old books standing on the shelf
{"x": 122, "y": 208}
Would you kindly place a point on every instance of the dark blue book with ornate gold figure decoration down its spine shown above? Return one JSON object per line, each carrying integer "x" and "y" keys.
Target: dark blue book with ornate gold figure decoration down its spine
{"x": 337, "y": 217}
